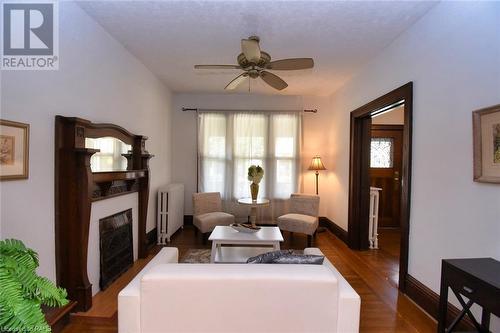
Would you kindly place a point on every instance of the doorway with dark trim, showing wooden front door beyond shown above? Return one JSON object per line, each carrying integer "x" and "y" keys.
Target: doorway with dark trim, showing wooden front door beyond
{"x": 380, "y": 157}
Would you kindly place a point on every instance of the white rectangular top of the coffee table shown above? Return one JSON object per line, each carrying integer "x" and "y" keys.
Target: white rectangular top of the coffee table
{"x": 264, "y": 235}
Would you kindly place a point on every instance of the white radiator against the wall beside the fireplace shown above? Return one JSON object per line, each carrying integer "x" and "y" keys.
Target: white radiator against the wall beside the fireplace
{"x": 170, "y": 211}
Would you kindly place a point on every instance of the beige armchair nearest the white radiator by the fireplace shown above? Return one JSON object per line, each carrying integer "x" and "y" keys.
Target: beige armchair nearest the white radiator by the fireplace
{"x": 208, "y": 212}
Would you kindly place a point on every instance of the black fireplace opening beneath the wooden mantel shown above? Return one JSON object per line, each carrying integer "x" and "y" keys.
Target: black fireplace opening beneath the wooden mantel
{"x": 116, "y": 246}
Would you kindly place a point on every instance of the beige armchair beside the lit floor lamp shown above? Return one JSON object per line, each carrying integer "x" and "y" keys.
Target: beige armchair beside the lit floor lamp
{"x": 303, "y": 216}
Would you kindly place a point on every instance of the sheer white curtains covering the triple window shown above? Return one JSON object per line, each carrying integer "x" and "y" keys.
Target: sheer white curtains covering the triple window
{"x": 229, "y": 142}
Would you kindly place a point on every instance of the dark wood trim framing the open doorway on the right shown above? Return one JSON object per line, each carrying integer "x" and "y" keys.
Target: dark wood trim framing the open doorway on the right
{"x": 359, "y": 177}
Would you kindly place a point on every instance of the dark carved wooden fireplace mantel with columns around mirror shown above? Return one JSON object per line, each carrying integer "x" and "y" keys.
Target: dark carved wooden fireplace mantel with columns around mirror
{"x": 76, "y": 187}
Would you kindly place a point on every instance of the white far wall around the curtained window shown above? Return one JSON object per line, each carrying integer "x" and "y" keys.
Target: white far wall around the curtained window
{"x": 184, "y": 130}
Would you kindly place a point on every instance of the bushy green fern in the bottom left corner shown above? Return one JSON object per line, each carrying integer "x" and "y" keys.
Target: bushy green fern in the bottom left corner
{"x": 22, "y": 291}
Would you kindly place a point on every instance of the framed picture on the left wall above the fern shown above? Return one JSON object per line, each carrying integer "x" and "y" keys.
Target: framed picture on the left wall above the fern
{"x": 14, "y": 150}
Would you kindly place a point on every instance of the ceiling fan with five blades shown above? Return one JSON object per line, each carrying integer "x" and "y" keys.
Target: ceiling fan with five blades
{"x": 256, "y": 63}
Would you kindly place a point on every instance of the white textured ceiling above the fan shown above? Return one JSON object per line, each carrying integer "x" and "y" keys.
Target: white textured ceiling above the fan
{"x": 169, "y": 37}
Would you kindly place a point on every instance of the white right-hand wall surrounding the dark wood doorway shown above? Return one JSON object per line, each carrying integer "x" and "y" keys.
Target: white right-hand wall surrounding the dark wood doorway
{"x": 452, "y": 55}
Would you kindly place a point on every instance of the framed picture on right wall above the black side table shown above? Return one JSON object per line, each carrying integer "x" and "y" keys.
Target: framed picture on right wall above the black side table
{"x": 486, "y": 130}
